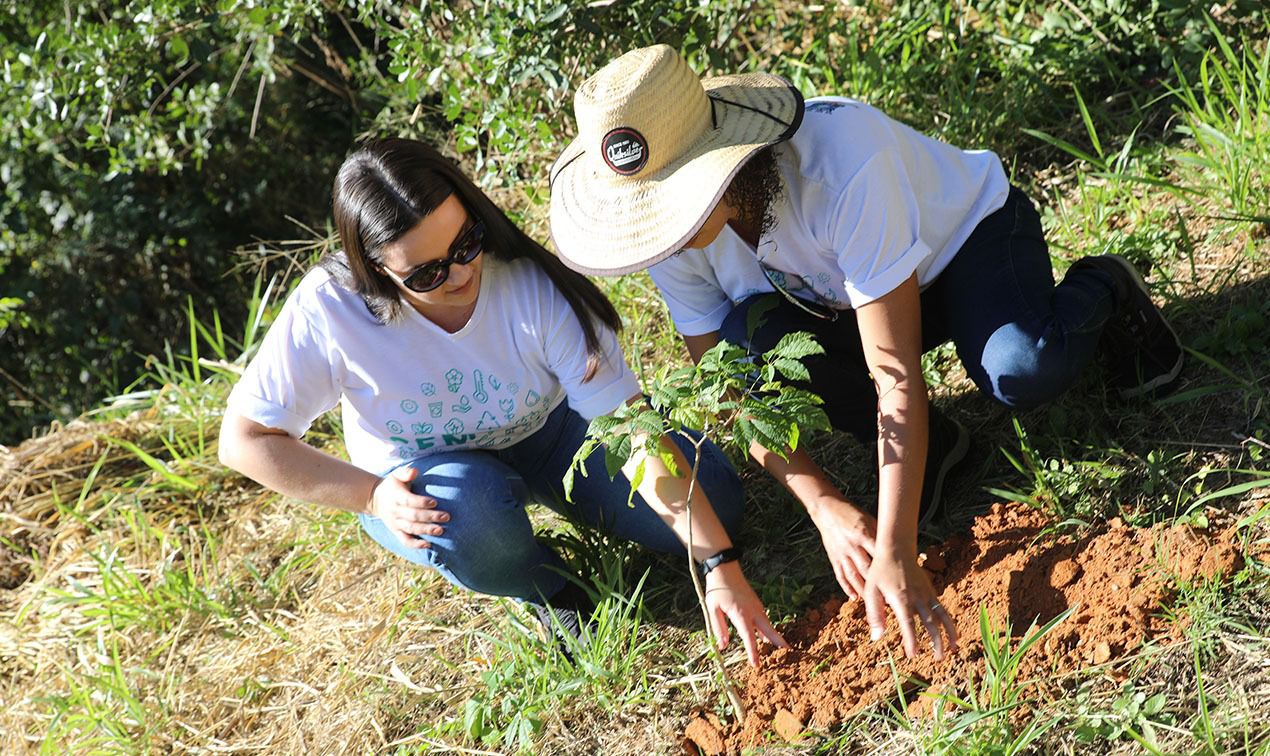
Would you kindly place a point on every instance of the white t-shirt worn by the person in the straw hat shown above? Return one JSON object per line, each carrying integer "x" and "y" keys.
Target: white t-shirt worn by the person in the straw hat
{"x": 868, "y": 201}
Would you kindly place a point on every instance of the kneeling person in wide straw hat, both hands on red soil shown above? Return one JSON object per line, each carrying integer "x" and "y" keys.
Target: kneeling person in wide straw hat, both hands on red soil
{"x": 882, "y": 242}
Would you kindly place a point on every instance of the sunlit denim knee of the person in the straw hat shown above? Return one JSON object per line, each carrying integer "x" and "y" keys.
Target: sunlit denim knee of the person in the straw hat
{"x": 1024, "y": 370}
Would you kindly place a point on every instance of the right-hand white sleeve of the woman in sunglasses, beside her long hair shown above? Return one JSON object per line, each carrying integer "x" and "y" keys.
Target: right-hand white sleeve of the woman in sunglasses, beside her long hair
{"x": 566, "y": 348}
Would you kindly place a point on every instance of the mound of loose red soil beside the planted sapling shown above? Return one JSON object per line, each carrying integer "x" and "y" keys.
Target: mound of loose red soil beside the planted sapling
{"x": 1117, "y": 581}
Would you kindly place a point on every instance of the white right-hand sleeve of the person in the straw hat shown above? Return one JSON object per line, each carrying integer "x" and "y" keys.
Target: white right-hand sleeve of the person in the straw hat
{"x": 876, "y": 231}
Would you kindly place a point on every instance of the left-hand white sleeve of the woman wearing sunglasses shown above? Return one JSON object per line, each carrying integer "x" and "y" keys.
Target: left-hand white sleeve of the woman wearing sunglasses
{"x": 290, "y": 383}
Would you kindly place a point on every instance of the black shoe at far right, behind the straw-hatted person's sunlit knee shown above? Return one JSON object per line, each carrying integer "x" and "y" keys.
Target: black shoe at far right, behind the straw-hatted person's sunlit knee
{"x": 1139, "y": 345}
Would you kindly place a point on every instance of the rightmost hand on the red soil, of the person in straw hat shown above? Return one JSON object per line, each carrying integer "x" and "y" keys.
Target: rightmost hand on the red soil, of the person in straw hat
{"x": 896, "y": 580}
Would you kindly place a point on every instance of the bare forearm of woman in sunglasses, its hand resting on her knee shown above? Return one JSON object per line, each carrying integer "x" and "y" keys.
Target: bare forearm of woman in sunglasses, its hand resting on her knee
{"x": 293, "y": 468}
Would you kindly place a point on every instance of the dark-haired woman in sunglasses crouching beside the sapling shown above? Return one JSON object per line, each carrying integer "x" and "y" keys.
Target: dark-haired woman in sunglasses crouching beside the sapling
{"x": 467, "y": 363}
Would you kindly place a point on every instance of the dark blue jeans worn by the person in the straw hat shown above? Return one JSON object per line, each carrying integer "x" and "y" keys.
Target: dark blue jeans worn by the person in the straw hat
{"x": 1023, "y": 340}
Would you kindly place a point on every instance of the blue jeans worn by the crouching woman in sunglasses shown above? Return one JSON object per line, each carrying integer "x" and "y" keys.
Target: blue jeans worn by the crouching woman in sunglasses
{"x": 490, "y": 546}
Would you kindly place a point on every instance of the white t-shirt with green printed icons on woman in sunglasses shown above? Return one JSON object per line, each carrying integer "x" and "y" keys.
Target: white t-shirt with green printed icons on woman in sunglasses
{"x": 411, "y": 389}
